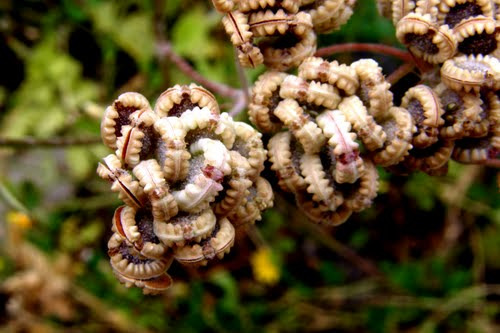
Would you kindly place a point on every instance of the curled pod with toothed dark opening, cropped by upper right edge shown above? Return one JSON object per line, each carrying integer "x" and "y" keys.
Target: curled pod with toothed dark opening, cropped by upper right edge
{"x": 477, "y": 35}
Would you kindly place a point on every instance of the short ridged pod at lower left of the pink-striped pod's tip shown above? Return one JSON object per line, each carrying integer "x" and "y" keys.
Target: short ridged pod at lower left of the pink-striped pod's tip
{"x": 320, "y": 185}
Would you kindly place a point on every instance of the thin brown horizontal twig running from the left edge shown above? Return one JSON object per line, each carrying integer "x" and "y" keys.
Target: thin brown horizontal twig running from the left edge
{"x": 30, "y": 142}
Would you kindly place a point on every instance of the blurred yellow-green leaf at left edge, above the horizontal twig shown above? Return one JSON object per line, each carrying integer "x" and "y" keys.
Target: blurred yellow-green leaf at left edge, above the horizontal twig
{"x": 52, "y": 89}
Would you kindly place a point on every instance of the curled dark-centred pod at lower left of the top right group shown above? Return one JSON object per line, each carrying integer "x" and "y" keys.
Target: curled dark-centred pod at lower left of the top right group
{"x": 425, "y": 40}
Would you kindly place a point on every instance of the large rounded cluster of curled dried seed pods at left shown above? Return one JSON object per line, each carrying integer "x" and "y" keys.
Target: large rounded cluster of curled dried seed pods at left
{"x": 188, "y": 175}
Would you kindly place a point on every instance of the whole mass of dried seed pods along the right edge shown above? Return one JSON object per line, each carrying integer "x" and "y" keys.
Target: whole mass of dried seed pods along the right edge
{"x": 456, "y": 113}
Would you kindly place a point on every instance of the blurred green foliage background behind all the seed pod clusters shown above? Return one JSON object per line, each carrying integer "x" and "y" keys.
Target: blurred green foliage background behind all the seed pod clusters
{"x": 434, "y": 240}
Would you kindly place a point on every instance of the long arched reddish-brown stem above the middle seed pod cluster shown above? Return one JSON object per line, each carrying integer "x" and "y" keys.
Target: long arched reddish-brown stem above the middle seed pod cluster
{"x": 357, "y": 47}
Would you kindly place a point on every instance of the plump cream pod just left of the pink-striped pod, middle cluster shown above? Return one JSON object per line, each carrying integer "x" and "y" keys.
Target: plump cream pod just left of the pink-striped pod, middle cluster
{"x": 301, "y": 125}
